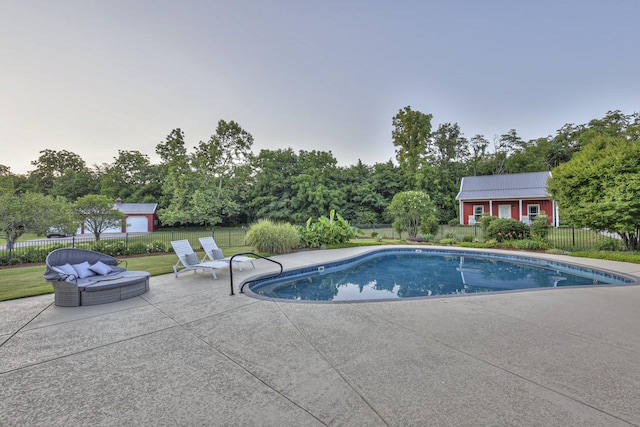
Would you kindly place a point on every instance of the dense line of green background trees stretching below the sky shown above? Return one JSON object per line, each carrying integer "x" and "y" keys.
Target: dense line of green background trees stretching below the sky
{"x": 223, "y": 182}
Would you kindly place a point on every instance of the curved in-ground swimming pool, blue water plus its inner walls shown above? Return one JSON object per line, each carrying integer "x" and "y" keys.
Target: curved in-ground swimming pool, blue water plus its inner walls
{"x": 416, "y": 273}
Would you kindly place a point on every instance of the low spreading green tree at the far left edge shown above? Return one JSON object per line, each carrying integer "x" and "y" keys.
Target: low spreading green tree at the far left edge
{"x": 30, "y": 212}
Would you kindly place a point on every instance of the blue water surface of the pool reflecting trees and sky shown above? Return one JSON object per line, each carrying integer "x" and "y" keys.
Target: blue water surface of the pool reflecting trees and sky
{"x": 405, "y": 275}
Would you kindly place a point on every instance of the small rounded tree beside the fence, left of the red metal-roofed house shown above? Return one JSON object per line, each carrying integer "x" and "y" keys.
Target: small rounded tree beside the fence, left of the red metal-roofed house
{"x": 411, "y": 209}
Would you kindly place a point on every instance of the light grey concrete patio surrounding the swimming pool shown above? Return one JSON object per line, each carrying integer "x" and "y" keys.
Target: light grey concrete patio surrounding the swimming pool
{"x": 188, "y": 353}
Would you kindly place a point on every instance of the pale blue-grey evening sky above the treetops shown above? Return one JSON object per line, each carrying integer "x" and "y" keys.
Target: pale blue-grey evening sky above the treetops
{"x": 97, "y": 76}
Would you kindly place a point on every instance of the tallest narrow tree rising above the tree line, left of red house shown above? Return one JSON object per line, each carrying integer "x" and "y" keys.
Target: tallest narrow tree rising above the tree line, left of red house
{"x": 411, "y": 133}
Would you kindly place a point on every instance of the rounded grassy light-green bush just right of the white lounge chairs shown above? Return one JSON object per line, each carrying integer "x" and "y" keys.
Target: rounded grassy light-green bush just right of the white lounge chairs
{"x": 273, "y": 238}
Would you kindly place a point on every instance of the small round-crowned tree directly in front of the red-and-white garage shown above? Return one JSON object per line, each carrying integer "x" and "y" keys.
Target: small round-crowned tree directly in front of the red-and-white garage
{"x": 98, "y": 213}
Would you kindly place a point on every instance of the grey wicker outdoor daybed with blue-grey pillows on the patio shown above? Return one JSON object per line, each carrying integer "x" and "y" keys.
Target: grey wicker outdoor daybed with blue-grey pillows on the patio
{"x": 83, "y": 277}
